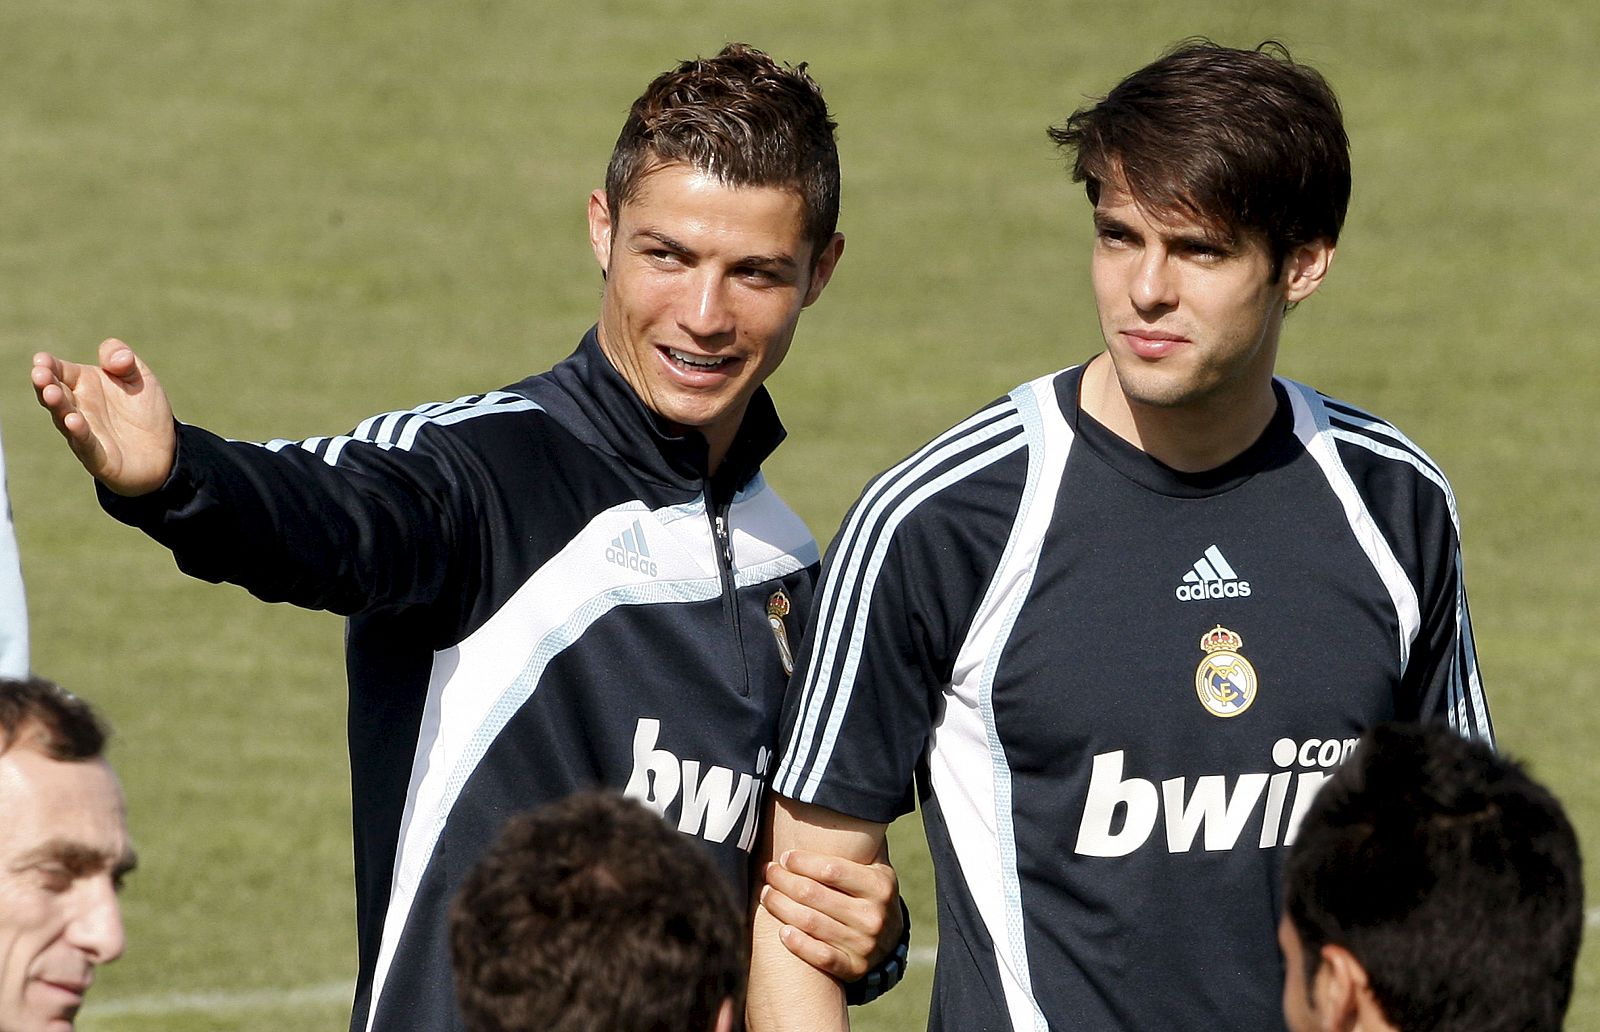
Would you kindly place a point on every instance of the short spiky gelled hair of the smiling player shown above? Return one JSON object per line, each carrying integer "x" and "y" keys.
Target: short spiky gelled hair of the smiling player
{"x": 738, "y": 118}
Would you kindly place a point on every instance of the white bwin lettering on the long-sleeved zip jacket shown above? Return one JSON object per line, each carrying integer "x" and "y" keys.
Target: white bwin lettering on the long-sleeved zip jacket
{"x": 714, "y": 799}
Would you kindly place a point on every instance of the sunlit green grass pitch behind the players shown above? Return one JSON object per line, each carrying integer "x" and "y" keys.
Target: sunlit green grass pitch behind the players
{"x": 305, "y": 214}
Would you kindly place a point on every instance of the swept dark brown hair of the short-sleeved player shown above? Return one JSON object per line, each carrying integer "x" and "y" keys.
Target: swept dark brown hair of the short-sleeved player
{"x": 1238, "y": 140}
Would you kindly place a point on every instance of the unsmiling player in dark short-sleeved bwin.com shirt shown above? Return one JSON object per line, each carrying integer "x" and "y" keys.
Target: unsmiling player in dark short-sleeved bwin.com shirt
{"x": 1119, "y": 625}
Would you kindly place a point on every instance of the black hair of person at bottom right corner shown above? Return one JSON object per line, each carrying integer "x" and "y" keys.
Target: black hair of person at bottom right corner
{"x": 1450, "y": 874}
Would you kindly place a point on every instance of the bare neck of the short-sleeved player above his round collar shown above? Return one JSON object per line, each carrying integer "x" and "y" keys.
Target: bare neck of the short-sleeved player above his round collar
{"x": 1190, "y": 438}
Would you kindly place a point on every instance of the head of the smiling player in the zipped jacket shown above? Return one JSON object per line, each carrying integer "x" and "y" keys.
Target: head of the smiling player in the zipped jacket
{"x": 714, "y": 231}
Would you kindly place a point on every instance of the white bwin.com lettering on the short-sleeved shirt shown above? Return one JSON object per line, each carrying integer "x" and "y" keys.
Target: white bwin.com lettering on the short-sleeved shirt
{"x": 1209, "y": 807}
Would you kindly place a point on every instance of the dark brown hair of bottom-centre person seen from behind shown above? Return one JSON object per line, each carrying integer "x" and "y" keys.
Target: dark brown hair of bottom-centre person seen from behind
{"x": 594, "y": 916}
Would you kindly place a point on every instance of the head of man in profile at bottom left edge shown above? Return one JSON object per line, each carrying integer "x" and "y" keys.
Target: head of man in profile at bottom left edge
{"x": 63, "y": 854}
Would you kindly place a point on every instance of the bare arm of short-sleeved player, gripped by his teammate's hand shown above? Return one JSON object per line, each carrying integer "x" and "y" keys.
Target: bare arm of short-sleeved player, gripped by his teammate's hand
{"x": 786, "y": 993}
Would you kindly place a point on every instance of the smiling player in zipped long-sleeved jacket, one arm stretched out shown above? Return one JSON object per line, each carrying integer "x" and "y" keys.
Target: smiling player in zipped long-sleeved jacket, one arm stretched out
{"x": 580, "y": 580}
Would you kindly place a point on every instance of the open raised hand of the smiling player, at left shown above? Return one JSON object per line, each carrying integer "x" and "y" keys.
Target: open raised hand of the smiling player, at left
{"x": 114, "y": 415}
